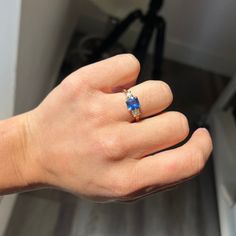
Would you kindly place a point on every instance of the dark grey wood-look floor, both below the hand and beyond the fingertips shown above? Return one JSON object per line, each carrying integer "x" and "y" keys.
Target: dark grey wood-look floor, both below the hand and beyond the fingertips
{"x": 189, "y": 209}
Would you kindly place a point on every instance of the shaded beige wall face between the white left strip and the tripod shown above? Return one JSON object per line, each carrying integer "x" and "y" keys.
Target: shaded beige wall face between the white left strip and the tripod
{"x": 45, "y": 31}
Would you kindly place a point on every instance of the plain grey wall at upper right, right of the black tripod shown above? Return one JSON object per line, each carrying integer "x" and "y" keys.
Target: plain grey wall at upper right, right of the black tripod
{"x": 202, "y": 33}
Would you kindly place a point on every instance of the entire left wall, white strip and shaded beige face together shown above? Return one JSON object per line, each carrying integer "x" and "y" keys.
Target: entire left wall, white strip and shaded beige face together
{"x": 34, "y": 37}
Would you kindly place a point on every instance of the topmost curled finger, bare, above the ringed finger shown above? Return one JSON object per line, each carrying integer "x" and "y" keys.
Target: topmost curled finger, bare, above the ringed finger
{"x": 107, "y": 75}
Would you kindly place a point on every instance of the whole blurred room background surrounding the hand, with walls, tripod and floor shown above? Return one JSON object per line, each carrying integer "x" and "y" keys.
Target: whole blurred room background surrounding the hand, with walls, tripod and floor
{"x": 189, "y": 44}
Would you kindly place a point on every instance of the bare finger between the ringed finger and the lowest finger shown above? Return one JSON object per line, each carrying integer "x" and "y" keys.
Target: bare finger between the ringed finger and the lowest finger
{"x": 155, "y": 134}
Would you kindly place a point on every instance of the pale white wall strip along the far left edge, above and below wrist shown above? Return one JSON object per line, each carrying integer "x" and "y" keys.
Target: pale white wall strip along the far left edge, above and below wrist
{"x": 9, "y": 27}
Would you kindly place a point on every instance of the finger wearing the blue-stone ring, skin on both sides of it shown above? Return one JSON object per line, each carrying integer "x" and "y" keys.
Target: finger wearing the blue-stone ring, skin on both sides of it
{"x": 154, "y": 97}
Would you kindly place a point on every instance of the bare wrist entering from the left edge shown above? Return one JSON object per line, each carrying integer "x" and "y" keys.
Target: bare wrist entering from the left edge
{"x": 18, "y": 170}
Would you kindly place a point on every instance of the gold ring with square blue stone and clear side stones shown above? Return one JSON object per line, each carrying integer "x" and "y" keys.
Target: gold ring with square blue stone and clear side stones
{"x": 133, "y": 105}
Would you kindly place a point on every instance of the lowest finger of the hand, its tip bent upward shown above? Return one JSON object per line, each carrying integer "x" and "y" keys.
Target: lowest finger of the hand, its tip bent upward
{"x": 175, "y": 165}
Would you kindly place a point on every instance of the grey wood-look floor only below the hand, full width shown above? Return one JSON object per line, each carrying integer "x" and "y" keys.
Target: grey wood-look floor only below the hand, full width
{"x": 189, "y": 209}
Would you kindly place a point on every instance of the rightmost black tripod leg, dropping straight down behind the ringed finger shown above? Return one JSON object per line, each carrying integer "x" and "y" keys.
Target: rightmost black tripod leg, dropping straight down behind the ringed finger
{"x": 159, "y": 47}
